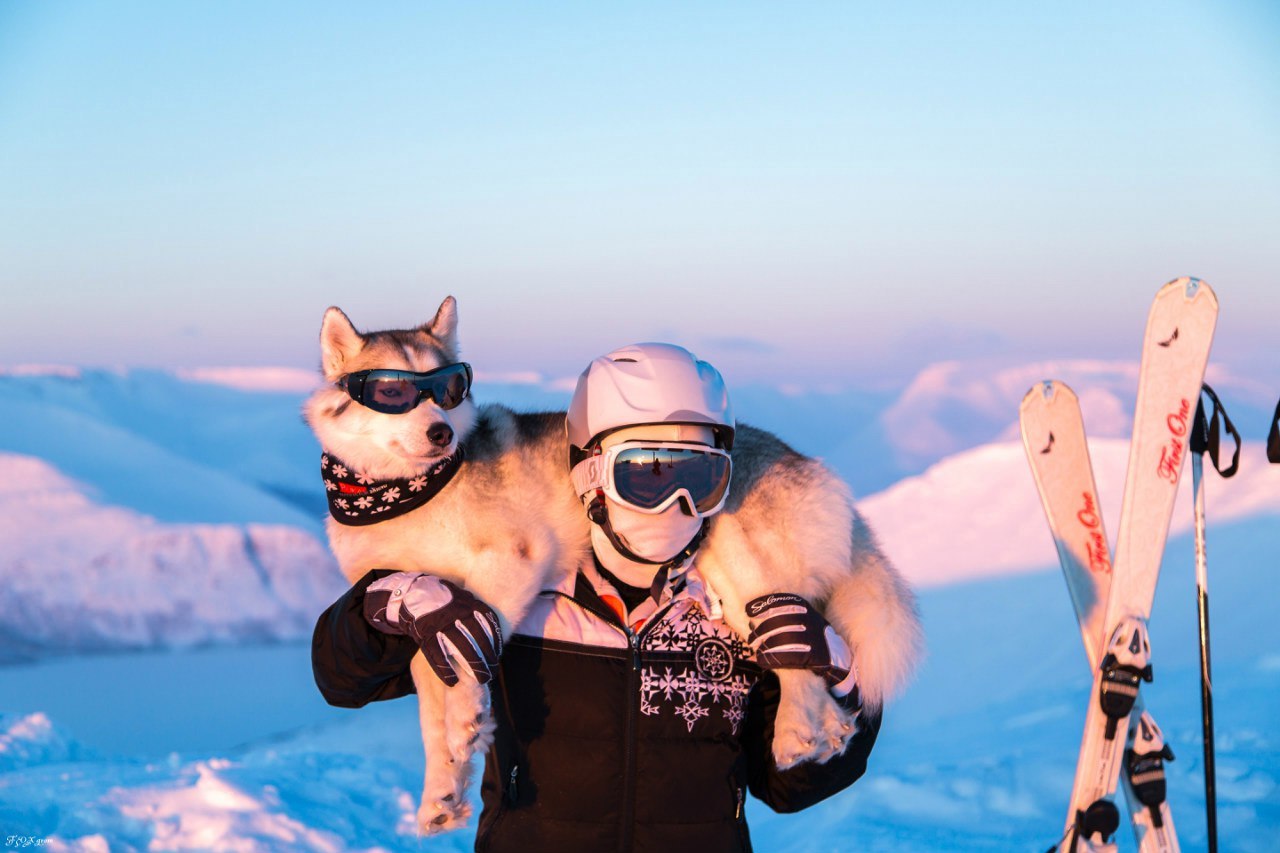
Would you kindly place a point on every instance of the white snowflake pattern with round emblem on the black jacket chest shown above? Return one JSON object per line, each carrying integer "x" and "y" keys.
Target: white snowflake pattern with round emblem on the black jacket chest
{"x": 712, "y": 669}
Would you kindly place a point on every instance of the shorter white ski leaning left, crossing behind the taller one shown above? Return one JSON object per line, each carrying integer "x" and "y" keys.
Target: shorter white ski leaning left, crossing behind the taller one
{"x": 1059, "y": 457}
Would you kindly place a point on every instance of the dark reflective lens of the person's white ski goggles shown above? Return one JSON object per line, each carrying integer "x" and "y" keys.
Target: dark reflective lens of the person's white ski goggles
{"x": 647, "y": 477}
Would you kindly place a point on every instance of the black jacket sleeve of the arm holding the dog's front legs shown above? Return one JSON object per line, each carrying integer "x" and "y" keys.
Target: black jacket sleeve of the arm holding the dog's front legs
{"x": 354, "y": 663}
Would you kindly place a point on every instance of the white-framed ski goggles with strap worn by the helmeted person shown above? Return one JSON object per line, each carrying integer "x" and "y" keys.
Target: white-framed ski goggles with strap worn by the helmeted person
{"x": 651, "y": 477}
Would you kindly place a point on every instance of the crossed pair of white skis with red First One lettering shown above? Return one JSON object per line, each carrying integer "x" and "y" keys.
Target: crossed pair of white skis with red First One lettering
{"x": 1113, "y": 596}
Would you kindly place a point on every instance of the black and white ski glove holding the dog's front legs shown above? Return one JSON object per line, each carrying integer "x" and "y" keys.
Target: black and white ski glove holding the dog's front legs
{"x": 451, "y": 626}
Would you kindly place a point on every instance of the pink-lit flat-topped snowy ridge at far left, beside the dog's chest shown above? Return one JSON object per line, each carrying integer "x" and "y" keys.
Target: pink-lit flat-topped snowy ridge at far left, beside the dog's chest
{"x": 80, "y": 576}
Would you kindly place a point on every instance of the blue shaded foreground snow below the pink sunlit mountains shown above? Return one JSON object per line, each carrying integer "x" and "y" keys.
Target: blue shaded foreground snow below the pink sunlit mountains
{"x": 979, "y": 756}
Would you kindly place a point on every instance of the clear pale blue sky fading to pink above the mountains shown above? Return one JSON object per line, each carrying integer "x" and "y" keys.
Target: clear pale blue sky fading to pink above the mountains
{"x": 801, "y": 193}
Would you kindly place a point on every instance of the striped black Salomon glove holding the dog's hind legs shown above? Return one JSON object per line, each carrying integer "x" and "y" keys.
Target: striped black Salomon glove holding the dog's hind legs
{"x": 789, "y": 635}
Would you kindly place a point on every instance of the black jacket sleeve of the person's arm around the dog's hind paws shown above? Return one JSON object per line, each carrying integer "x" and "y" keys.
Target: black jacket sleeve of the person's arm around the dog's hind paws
{"x": 808, "y": 783}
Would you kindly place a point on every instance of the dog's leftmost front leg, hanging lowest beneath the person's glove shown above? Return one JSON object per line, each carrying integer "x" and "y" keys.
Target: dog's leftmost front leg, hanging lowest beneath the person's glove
{"x": 445, "y": 806}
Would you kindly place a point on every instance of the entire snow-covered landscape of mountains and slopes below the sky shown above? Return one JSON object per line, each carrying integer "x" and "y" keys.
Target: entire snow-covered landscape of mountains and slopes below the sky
{"x": 145, "y": 509}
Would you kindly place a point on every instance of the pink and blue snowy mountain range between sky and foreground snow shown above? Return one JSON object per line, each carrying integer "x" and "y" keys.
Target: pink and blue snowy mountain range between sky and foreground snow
{"x": 149, "y": 508}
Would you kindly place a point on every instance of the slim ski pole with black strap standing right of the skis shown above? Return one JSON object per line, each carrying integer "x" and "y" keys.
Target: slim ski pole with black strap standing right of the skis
{"x": 1206, "y": 437}
